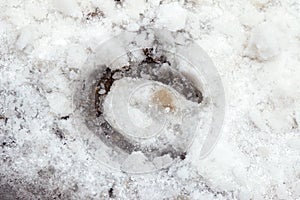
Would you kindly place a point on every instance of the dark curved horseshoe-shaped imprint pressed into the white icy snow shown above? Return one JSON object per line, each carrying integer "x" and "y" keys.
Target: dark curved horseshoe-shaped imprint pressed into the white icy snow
{"x": 152, "y": 66}
